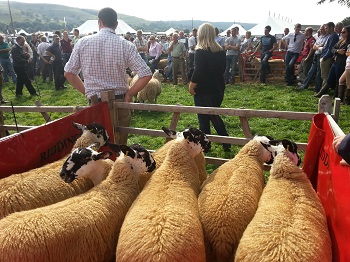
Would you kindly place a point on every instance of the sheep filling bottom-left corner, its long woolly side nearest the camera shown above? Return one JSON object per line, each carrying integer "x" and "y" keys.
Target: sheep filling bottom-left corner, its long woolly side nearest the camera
{"x": 81, "y": 228}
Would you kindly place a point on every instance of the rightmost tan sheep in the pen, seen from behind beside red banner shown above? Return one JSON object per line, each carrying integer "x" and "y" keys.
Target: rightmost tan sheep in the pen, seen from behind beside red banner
{"x": 290, "y": 223}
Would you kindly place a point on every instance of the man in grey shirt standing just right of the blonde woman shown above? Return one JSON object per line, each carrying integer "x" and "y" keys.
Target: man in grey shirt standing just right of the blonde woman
{"x": 232, "y": 46}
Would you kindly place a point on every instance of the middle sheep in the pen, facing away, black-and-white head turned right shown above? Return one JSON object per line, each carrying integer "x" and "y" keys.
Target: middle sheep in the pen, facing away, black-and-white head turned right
{"x": 163, "y": 222}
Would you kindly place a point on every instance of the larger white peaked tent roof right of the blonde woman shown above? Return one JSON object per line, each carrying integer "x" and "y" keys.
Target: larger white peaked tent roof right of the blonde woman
{"x": 277, "y": 26}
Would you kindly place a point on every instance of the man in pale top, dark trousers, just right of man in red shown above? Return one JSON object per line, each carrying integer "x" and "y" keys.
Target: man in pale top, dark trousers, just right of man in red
{"x": 315, "y": 69}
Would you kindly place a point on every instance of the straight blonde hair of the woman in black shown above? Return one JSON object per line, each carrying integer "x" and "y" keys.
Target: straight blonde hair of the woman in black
{"x": 206, "y": 38}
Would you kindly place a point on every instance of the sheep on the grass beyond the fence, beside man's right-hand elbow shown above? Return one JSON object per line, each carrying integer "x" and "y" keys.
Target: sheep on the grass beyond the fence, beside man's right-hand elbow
{"x": 151, "y": 91}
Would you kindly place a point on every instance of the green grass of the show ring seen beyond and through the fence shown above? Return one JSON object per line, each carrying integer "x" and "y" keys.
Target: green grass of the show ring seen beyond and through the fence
{"x": 241, "y": 95}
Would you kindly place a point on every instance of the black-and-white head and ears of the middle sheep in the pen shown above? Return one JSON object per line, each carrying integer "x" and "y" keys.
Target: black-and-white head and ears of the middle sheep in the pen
{"x": 194, "y": 136}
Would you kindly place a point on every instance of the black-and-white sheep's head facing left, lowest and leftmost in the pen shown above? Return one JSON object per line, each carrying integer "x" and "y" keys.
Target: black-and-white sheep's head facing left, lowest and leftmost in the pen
{"x": 80, "y": 162}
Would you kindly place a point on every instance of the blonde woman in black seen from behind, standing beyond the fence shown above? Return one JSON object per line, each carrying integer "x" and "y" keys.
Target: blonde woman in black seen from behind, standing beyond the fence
{"x": 207, "y": 84}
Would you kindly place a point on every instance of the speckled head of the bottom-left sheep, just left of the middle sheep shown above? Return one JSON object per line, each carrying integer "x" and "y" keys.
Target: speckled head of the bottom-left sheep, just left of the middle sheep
{"x": 139, "y": 158}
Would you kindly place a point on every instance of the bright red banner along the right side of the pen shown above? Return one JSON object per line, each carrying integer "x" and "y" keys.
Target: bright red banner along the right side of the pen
{"x": 332, "y": 184}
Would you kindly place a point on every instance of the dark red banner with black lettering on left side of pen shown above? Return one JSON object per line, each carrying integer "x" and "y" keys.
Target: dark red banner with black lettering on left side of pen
{"x": 47, "y": 143}
